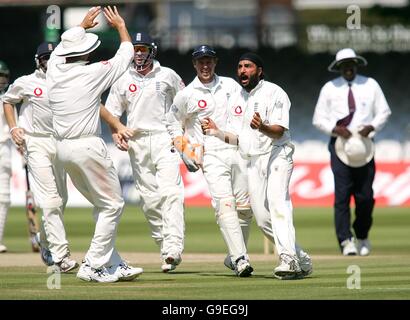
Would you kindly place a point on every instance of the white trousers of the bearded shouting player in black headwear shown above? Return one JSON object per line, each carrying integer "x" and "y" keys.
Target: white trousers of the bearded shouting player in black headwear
{"x": 269, "y": 175}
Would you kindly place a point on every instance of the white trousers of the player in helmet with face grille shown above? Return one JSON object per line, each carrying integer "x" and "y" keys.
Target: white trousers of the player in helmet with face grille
{"x": 155, "y": 167}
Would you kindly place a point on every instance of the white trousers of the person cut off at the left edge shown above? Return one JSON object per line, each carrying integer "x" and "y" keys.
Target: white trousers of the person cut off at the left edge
{"x": 5, "y": 175}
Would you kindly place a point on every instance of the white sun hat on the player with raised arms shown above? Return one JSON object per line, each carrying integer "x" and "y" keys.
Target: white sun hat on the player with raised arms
{"x": 76, "y": 42}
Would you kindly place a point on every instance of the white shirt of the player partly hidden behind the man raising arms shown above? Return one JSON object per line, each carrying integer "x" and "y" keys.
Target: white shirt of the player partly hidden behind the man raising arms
{"x": 35, "y": 113}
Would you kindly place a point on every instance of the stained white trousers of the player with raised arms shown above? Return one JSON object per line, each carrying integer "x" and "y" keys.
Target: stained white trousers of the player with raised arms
{"x": 92, "y": 172}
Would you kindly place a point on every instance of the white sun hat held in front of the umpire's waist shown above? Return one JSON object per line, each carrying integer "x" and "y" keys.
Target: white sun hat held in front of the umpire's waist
{"x": 355, "y": 151}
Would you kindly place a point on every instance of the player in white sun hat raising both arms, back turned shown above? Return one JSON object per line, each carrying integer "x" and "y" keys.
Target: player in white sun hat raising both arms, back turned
{"x": 74, "y": 89}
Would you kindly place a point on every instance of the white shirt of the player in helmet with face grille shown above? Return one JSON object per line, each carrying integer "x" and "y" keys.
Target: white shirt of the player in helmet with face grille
{"x": 146, "y": 99}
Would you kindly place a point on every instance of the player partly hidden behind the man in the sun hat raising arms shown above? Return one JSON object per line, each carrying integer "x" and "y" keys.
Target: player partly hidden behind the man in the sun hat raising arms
{"x": 34, "y": 134}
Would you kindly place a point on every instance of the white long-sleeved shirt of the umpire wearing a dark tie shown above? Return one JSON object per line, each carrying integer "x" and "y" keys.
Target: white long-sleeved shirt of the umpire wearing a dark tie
{"x": 332, "y": 105}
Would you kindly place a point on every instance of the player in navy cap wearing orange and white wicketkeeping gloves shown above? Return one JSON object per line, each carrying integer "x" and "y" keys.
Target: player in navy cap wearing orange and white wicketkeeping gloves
{"x": 207, "y": 96}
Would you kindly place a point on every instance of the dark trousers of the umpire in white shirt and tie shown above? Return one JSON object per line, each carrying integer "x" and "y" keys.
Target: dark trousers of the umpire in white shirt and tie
{"x": 356, "y": 182}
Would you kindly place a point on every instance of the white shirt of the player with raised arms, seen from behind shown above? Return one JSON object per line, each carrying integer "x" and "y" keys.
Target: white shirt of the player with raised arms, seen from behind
{"x": 75, "y": 90}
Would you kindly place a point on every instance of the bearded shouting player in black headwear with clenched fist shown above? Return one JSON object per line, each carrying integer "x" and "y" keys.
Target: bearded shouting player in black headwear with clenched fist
{"x": 262, "y": 133}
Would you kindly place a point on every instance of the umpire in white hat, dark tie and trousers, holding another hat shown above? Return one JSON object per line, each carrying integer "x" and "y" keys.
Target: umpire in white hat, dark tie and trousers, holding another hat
{"x": 351, "y": 109}
